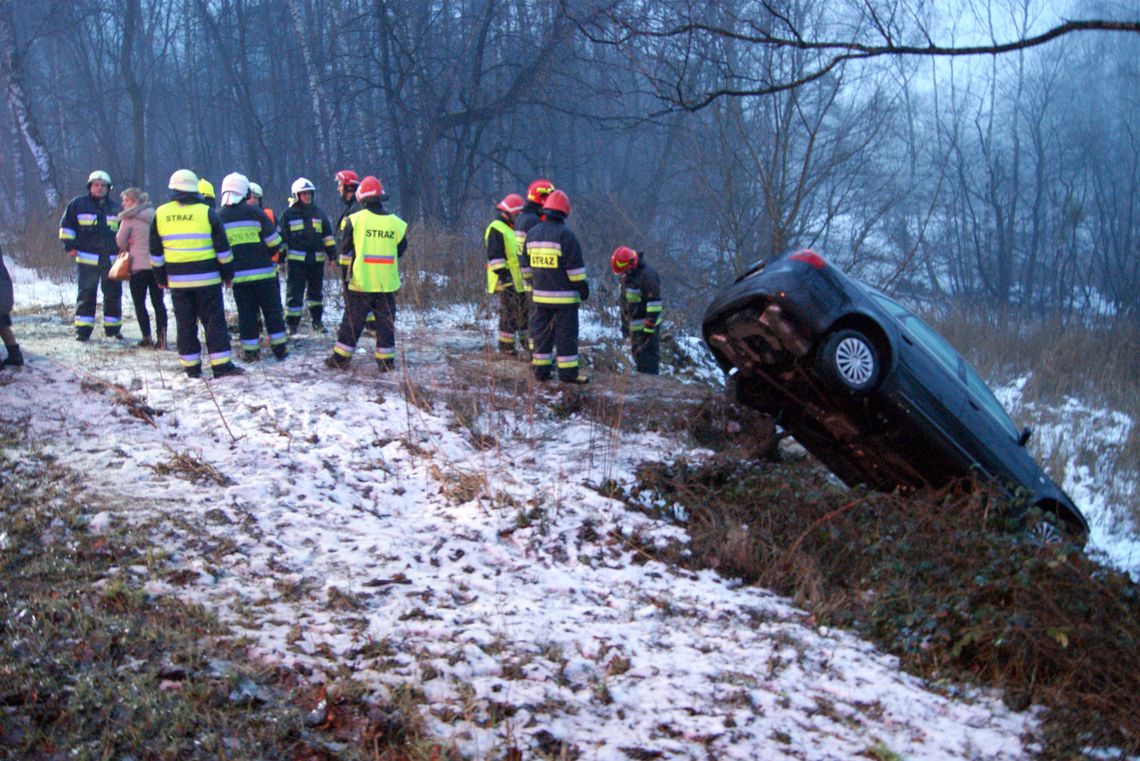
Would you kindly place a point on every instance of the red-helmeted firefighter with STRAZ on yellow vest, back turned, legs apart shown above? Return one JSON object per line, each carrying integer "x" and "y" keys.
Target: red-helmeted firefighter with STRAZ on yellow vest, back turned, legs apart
{"x": 374, "y": 243}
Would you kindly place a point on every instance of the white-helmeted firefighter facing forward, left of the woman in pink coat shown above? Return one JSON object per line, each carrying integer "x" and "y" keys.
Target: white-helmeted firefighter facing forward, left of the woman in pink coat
{"x": 87, "y": 231}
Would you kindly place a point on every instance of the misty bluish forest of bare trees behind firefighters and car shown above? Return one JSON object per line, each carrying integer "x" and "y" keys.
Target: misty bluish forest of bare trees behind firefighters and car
{"x": 1004, "y": 185}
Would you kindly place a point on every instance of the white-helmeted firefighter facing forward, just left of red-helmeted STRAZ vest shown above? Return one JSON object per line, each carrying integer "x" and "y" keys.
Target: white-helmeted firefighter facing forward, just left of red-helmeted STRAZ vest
{"x": 308, "y": 234}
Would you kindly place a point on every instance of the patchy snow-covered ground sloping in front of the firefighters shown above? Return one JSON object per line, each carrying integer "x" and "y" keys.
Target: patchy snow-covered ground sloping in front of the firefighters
{"x": 355, "y": 526}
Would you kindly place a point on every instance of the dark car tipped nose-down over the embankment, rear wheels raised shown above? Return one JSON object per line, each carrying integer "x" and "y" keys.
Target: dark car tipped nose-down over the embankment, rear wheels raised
{"x": 870, "y": 389}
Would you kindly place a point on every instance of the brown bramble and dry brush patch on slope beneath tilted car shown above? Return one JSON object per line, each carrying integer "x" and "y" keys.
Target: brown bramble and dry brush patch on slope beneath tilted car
{"x": 944, "y": 582}
